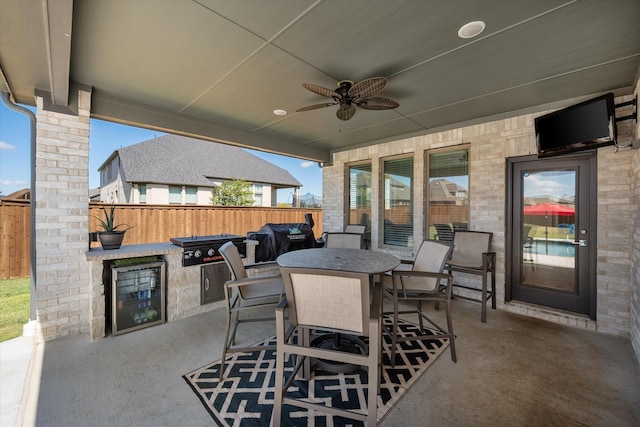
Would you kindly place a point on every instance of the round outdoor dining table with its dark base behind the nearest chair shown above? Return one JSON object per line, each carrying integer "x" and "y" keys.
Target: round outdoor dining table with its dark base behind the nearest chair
{"x": 342, "y": 259}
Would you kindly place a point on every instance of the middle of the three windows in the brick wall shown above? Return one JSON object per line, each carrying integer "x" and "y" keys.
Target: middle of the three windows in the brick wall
{"x": 397, "y": 196}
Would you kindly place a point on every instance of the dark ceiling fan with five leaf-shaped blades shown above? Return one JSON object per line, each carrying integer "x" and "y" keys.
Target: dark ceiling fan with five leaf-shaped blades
{"x": 349, "y": 95}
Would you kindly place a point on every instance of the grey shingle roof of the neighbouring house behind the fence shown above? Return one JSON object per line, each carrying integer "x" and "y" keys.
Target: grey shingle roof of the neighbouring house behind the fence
{"x": 173, "y": 159}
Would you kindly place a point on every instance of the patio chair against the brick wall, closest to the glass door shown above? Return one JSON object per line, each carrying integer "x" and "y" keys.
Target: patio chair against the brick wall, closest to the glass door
{"x": 472, "y": 254}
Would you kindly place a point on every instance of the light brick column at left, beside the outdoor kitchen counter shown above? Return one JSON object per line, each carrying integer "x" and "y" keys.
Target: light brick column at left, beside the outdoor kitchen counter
{"x": 62, "y": 219}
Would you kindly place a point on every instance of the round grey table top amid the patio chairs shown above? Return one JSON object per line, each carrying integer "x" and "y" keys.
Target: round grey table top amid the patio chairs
{"x": 353, "y": 260}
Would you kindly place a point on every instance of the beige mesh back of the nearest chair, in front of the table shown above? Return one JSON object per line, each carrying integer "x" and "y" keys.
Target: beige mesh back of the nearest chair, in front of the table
{"x": 327, "y": 299}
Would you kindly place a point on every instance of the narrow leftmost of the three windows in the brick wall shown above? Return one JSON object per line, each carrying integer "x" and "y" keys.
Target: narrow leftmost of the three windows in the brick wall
{"x": 360, "y": 195}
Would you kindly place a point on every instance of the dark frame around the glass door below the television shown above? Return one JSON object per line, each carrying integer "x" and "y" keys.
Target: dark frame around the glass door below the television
{"x": 588, "y": 187}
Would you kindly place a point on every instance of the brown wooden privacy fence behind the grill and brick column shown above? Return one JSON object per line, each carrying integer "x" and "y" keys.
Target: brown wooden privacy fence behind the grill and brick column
{"x": 150, "y": 224}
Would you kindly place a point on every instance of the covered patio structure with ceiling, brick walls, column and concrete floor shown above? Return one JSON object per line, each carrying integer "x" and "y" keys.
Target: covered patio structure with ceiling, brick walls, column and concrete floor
{"x": 117, "y": 61}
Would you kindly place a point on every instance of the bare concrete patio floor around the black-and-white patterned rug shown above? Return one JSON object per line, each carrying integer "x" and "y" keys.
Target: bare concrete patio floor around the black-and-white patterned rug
{"x": 511, "y": 371}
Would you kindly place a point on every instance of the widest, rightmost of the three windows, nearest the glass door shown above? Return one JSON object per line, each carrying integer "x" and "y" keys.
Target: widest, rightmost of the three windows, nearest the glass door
{"x": 448, "y": 195}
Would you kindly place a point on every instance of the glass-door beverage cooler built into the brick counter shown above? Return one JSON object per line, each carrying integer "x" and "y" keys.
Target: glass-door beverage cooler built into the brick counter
{"x": 138, "y": 299}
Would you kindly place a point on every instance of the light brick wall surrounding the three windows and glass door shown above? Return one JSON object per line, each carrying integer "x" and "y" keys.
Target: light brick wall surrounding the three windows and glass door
{"x": 490, "y": 144}
